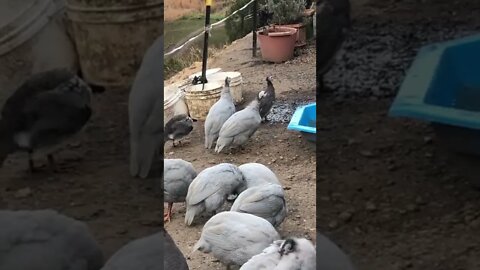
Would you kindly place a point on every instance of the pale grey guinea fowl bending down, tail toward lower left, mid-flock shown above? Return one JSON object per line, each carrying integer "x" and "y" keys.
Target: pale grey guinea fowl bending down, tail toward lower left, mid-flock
{"x": 209, "y": 190}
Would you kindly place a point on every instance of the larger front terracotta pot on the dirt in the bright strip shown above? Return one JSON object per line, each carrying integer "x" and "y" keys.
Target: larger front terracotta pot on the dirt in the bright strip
{"x": 278, "y": 45}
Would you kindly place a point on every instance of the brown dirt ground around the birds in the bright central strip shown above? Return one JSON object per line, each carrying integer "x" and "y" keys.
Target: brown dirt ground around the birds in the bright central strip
{"x": 283, "y": 151}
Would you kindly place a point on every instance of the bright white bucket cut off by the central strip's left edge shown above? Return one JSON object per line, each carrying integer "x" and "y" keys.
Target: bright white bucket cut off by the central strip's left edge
{"x": 173, "y": 102}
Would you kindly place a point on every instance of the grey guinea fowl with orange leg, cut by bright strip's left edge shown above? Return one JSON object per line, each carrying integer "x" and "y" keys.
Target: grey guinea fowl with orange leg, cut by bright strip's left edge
{"x": 177, "y": 176}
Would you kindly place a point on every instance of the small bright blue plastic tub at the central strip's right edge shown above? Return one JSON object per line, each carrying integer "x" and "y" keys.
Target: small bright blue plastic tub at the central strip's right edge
{"x": 305, "y": 120}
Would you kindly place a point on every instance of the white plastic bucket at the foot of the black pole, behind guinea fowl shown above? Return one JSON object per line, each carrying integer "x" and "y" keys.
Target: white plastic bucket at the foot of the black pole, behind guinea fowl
{"x": 199, "y": 99}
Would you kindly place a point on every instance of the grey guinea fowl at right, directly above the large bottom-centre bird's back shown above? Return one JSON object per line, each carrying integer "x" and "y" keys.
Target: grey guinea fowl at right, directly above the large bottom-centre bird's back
{"x": 266, "y": 201}
